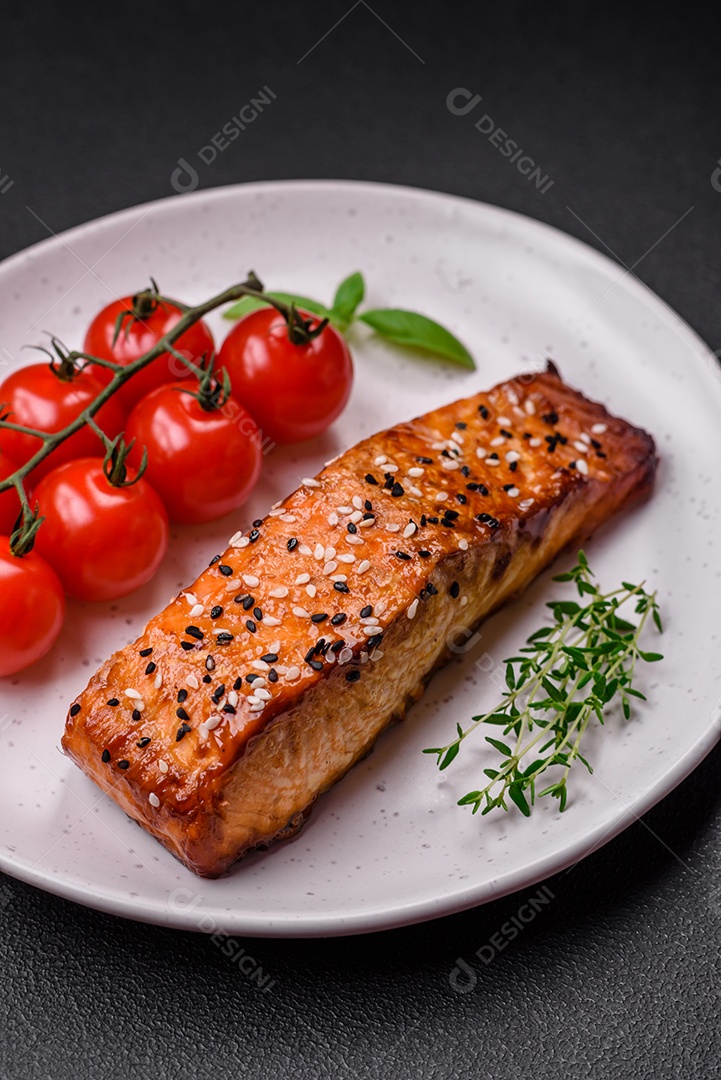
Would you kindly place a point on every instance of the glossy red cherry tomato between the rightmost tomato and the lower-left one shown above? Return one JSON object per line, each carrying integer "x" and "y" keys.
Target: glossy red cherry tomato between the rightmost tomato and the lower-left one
{"x": 202, "y": 464}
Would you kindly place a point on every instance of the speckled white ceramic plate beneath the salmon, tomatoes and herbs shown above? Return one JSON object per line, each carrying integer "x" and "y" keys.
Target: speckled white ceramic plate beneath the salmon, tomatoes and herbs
{"x": 388, "y": 846}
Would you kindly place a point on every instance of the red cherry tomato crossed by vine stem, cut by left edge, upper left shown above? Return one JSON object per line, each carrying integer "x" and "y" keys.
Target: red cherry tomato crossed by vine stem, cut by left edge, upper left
{"x": 36, "y": 397}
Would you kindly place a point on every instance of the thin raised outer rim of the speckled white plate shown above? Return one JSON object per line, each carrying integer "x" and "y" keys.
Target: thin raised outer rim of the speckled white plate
{"x": 376, "y": 919}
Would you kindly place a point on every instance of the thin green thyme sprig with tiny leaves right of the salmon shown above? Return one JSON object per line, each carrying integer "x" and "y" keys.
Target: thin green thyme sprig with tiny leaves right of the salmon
{"x": 567, "y": 674}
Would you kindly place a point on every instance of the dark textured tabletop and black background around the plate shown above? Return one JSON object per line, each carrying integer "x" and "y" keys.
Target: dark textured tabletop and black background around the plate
{"x": 619, "y": 976}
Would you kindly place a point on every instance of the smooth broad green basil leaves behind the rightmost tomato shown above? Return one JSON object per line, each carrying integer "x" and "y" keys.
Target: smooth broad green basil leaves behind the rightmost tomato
{"x": 407, "y": 329}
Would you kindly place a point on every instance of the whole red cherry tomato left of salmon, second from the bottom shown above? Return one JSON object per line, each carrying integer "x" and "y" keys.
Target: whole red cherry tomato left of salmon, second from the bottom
{"x": 103, "y": 542}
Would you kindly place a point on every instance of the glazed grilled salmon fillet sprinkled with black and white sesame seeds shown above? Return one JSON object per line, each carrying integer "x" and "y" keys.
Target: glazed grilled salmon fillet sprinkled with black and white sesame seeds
{"x": 260, "y": 687}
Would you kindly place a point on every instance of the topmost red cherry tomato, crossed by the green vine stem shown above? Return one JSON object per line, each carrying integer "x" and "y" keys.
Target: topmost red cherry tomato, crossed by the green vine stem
{"x": 138, "y": 337}
